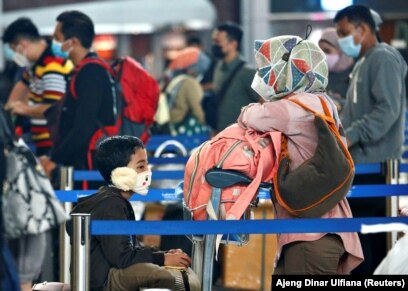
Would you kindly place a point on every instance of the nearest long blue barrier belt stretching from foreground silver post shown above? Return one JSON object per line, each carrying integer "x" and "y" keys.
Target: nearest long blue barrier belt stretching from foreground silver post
{"x": 258, "y": 226}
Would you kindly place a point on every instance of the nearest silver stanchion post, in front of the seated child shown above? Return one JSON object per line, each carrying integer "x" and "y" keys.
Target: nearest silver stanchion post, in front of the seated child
{"x": 80, "y": 251}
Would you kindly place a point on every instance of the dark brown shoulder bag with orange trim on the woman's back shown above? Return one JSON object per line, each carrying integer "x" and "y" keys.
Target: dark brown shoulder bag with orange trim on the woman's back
{"x": 317, "y": 185}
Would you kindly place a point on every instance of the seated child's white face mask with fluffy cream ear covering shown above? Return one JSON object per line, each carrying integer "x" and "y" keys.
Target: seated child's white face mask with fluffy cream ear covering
{"x": 127, "y": 179}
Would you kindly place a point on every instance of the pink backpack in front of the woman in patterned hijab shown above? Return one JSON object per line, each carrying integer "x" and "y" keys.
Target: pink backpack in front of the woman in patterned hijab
{"x": 246, "y": 151}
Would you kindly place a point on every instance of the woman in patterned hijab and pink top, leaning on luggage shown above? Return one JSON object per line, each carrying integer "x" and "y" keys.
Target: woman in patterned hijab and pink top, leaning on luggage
{"x": 292, "y": 68}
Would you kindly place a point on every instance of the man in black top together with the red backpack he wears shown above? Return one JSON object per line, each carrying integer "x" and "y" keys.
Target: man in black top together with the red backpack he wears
{"x": 102, "y": 100}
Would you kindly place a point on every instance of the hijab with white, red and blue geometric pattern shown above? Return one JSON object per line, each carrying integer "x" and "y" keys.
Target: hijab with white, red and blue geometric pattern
{"x": 289, "y": 64}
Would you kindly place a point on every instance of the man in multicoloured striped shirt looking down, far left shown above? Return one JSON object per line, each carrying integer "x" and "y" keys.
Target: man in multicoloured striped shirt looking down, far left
{"x": 43, "y": 83}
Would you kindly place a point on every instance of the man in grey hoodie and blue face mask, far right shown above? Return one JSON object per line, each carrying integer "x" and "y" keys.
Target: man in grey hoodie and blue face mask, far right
{"x": 374, "y": 114}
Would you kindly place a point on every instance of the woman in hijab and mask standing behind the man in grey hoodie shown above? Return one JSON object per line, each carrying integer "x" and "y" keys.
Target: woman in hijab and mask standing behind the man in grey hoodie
{"x": 339, "y": 65}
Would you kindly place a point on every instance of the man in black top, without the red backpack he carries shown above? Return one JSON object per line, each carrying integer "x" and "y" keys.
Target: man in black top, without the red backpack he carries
{"x": 91, "y": 107}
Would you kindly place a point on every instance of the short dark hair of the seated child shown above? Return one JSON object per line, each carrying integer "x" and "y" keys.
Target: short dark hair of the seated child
{"x": 114, "y": 152}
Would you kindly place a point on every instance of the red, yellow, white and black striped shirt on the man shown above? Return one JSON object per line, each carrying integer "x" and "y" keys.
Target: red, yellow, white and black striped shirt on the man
{"x": 46, "y": 80}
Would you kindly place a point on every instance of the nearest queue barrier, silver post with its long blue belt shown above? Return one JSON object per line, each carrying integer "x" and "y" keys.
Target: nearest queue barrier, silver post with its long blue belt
{"x": 81, "y": 233}
